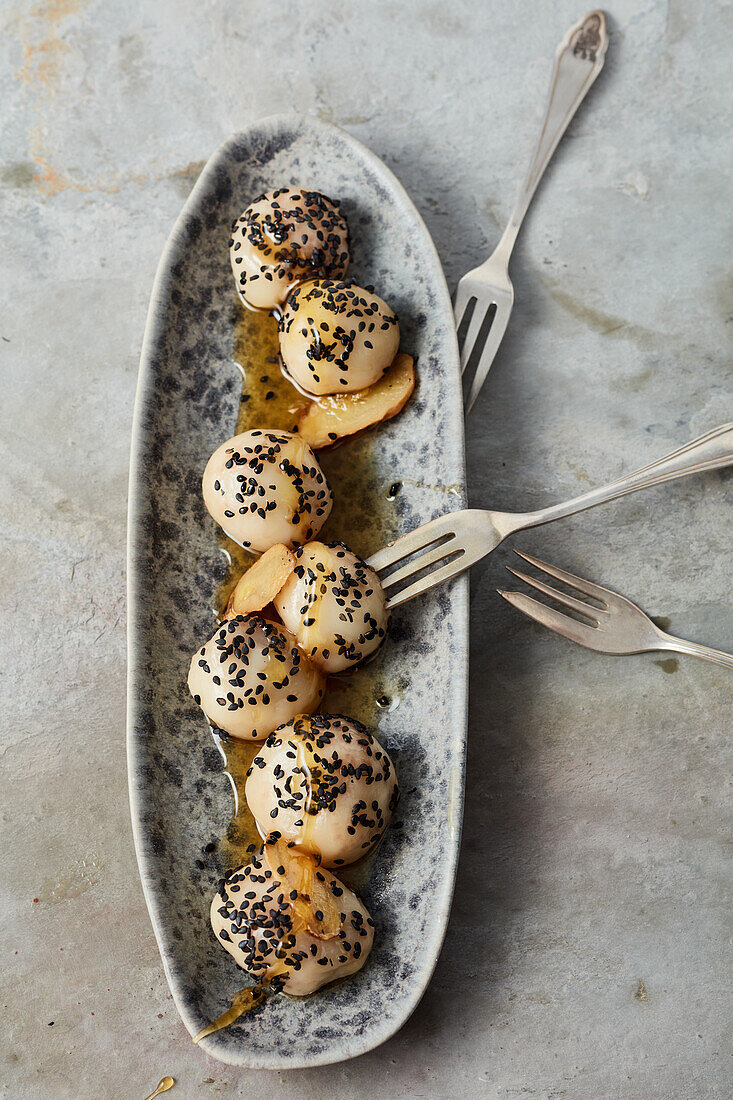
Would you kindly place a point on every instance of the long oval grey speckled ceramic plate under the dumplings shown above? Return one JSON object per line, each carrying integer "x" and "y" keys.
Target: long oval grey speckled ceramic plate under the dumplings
{"x": 188, "y": 400}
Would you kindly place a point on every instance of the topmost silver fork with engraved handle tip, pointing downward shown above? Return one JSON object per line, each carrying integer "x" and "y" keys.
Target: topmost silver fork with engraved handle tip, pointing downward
{"x": 578, "y": 61}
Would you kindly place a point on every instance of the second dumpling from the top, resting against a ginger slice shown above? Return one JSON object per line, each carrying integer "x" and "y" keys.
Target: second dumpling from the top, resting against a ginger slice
{"x": 337, "y": 337}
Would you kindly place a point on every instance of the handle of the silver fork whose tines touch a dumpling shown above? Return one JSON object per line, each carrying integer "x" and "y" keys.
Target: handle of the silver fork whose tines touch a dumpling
{"x": 710, "y": 452}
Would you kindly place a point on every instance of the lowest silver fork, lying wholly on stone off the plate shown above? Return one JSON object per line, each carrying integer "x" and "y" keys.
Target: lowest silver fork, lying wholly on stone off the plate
{"x": 618, "y": 626}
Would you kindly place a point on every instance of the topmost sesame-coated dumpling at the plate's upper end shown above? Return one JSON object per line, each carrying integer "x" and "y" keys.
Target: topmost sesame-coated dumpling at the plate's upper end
{"x": 282, "y": 238}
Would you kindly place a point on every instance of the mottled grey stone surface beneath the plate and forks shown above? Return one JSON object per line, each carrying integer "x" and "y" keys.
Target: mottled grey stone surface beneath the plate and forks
{"x": 589, "y": 944}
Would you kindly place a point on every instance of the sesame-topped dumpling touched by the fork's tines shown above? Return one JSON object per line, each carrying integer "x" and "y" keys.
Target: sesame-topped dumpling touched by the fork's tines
{"x": 335, "y": 607}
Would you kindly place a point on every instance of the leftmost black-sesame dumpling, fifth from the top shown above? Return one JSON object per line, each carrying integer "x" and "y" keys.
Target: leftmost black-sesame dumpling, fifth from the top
{"x": 251, "y": 677}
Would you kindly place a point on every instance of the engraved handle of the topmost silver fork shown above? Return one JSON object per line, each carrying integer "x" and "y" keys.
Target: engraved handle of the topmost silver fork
{"x": 578, "y": 61}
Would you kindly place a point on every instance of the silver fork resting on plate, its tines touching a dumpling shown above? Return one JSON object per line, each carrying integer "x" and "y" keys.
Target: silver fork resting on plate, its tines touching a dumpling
{"x": 452, "y": 544}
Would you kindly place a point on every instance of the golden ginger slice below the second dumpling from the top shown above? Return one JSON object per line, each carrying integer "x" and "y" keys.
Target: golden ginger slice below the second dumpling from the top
{"x": 330, "y": 419}
